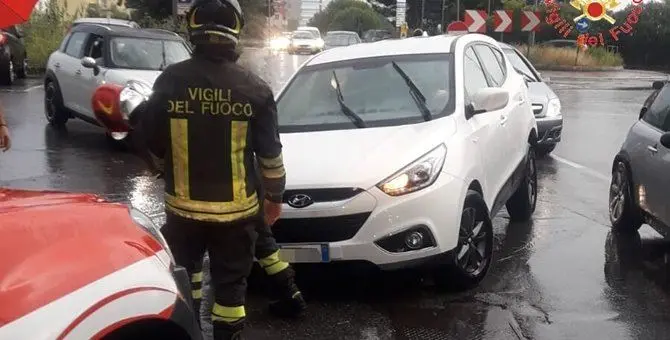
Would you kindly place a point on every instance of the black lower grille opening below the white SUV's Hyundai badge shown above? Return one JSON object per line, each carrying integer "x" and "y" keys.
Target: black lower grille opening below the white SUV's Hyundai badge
{"x": 318, "y": 229}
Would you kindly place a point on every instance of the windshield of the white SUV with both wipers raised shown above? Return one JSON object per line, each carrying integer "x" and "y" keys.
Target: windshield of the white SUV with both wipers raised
{"x": 371, "y": 88}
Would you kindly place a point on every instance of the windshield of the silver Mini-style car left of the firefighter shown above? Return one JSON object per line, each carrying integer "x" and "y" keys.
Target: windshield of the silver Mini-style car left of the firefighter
{"x": 146, "y": 54}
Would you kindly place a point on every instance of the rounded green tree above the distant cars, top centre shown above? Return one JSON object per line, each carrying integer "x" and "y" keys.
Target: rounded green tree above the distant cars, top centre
{"x": 349, "y": 15}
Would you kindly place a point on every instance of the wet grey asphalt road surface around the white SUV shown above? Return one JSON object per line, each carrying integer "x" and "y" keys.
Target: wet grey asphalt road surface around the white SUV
{"x": 562, "y": 276}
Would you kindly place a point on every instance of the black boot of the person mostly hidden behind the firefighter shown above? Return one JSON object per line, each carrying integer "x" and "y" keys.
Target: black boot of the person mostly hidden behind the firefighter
{"x": 286, "y": 300}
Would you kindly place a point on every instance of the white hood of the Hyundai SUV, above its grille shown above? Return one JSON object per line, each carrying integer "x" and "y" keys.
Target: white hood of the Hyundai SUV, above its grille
{"x": 358, "y": 157}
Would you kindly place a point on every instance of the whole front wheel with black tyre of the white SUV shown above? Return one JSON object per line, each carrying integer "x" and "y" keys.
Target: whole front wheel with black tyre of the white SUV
{"x": 469, "y": 262}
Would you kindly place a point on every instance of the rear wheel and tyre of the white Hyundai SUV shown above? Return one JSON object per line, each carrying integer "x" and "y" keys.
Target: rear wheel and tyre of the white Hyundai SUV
{"x": 524, "y": 200}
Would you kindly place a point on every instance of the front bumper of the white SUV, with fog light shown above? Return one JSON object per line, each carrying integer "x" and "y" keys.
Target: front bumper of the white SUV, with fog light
{"x": 367, "y": 227}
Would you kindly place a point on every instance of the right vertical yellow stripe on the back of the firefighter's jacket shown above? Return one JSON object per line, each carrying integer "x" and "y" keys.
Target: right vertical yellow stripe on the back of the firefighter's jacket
{"x": 238, "y": 145}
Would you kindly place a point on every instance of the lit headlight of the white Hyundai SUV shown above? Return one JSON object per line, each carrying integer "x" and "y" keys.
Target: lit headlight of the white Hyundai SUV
{"x": 418, "y": 175}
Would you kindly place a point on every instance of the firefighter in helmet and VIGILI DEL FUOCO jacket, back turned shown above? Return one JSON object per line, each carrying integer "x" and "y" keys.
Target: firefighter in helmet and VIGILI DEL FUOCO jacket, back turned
{"x": 207, "y": 121}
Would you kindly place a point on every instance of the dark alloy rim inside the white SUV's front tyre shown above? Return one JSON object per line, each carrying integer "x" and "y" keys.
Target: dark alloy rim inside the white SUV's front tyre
{"x": 471, "y": 256}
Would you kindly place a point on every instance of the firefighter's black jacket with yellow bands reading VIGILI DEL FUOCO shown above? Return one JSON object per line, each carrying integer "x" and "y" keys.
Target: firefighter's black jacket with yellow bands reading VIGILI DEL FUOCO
{"x": 208, "y": 120}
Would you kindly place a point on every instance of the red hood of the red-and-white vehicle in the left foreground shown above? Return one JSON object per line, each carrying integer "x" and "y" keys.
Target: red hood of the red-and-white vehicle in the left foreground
{"x": 54, "y": 243}
